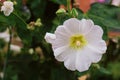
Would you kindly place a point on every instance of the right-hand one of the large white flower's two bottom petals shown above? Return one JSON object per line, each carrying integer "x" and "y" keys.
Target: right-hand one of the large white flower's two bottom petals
{"x": 82, "y": 62}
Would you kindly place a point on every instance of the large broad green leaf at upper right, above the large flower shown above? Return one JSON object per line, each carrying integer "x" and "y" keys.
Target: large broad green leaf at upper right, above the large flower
{"x": 107, "y": 14}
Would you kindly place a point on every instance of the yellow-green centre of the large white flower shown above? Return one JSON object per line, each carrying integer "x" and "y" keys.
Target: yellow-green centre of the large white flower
{"x": 77, "y": 41}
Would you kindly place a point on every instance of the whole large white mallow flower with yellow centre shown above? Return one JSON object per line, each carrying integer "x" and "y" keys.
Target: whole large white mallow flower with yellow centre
{"x": 78, "y": 43}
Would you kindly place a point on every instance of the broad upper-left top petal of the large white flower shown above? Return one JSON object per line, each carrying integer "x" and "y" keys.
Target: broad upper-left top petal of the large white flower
{"x": 73, "y": 25}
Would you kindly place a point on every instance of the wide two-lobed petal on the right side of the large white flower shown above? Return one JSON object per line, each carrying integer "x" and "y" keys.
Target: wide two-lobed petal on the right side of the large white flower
{"x": 94, "y": 39}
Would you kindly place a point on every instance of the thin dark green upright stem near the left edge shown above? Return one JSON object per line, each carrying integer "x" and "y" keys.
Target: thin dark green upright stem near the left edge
{"x": 7, "y": 55}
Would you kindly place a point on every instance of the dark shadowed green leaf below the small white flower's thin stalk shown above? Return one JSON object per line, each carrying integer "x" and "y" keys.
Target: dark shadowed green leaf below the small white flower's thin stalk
{"x": 22, "y": 30}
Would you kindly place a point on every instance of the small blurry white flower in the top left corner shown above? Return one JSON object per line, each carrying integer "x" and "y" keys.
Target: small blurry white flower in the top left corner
{"x": 7, "y": 8}
